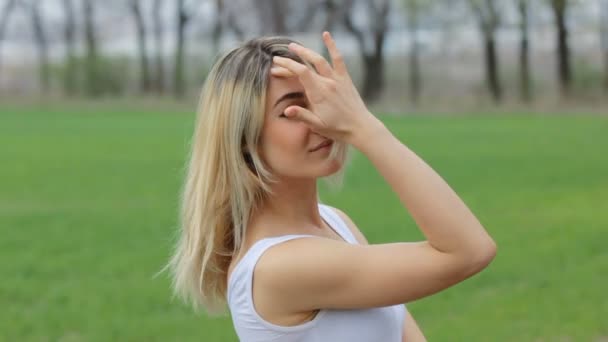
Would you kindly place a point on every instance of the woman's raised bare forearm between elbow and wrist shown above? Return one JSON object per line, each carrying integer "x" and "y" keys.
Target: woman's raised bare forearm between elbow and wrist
{"x": 443, "y": 218}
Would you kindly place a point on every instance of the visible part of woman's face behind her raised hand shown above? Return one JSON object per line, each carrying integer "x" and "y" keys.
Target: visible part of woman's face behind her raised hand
{"x": 285, "y": 143}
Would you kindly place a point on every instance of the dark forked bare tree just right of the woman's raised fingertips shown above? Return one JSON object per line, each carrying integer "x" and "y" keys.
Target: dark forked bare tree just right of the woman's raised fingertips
{"x": 372, "y": 56}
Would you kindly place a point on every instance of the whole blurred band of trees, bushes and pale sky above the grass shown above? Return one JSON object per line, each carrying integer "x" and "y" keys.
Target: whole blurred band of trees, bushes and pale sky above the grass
{"x": 403, "y": 53}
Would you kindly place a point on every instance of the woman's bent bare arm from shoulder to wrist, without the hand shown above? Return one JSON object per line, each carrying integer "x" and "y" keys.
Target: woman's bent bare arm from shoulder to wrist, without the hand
{"x": 313, "y": 273}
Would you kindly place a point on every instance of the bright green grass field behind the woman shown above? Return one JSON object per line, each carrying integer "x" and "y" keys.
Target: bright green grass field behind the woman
{"x": 88, "y": 201}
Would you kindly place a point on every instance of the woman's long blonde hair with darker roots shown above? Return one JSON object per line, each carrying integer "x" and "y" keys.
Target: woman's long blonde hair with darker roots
{"x": 226, "y": 179}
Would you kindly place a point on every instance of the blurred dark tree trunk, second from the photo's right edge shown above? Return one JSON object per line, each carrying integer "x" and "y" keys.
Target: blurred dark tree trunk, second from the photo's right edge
{"x": 560, "y": 13}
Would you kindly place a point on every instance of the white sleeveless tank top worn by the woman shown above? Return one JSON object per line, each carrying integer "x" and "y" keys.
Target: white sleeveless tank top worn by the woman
{"x": 360, "y": 325}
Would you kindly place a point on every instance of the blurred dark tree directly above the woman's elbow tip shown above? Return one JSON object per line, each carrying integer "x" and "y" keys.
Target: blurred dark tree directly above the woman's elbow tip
{"x": 488, "y": 20}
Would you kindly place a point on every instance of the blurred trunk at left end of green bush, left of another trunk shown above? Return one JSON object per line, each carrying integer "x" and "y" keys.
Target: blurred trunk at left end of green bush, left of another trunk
{"x": 69, "y": 36}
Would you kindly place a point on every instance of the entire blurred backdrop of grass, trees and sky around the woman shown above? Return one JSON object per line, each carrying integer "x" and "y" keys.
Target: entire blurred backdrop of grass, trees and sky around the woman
{"x": 506, "y": 99}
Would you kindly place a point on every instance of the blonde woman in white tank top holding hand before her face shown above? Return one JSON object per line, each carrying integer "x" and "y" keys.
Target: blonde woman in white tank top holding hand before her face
{"x": 275, "y": 116}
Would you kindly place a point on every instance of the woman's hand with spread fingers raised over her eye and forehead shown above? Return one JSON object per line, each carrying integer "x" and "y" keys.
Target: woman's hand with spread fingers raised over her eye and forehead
{"x": 336, "y": 109}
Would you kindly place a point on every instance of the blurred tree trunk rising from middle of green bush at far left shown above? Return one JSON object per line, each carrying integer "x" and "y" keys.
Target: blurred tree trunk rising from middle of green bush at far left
{"x": 92, "y": 59}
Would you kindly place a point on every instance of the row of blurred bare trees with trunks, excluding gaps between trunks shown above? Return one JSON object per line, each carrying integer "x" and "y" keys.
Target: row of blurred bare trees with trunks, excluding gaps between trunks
{"x": 89, "y": 72}
